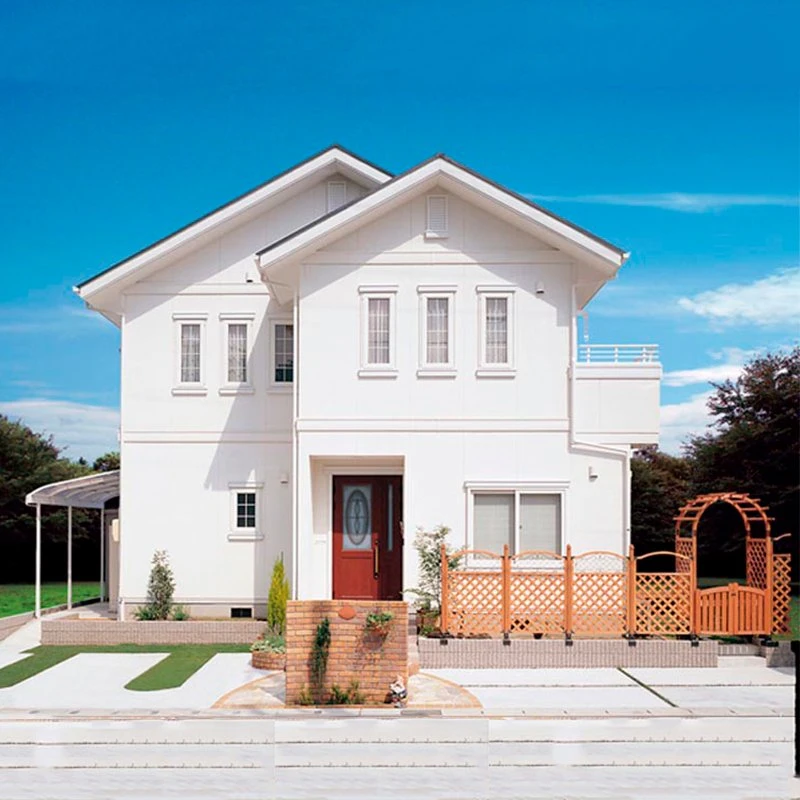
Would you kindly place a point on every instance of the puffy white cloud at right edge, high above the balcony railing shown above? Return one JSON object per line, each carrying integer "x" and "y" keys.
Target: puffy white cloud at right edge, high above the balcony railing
{"x": 774, "y": 300}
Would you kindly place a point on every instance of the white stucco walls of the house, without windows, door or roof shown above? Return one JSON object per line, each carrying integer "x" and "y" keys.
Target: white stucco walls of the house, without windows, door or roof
{"x": 180, "y": 454}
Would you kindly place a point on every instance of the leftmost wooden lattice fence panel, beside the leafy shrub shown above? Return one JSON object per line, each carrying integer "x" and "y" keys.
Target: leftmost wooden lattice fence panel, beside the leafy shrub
{"x": 475, "y": 602}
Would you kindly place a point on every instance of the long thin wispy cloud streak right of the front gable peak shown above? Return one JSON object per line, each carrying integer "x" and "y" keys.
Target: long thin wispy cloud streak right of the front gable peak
{"x": 677, "y": 201}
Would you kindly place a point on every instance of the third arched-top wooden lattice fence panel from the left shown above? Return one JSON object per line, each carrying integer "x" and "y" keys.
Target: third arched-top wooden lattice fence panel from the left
{"x": 599, "y": 595}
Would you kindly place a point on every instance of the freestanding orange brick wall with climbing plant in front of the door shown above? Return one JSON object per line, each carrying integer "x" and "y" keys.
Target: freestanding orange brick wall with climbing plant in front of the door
{"x": 354, "y": 653}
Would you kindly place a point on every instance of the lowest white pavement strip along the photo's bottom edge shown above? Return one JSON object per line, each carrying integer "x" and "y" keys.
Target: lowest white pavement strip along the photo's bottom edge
{"x": 509, "y": 783}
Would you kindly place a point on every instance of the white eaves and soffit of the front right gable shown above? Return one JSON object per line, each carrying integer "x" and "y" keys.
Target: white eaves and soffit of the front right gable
{"x": 443, "y": 173}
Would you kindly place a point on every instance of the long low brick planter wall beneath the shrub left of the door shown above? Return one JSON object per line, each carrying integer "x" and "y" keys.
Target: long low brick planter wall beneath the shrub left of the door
{"x": 105, "y": 632}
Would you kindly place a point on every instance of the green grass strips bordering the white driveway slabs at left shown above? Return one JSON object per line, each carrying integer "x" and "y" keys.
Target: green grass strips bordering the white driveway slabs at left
{"x": 182, "y": 662}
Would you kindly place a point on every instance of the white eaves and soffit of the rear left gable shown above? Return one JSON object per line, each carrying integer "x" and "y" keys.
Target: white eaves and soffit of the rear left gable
{"x": 99, "y": 290}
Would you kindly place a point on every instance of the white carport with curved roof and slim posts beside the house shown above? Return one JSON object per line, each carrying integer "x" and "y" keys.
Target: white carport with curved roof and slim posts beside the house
{"x": 90, "y": 491}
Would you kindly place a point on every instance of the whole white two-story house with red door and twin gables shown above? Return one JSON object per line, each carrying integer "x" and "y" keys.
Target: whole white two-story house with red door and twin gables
{"x": 341, "y": 356}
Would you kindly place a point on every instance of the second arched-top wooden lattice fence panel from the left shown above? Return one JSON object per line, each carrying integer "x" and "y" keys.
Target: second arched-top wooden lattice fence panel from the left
{"x": 537, "y": 593}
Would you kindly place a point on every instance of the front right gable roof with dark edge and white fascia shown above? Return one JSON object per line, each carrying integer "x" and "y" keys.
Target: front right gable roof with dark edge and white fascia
{"x": 440, "y": 168}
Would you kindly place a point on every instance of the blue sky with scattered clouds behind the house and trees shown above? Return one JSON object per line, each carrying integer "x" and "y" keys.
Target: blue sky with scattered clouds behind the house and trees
{"x": 669, "y": 128}
